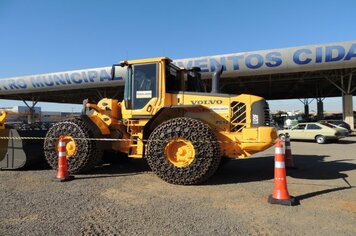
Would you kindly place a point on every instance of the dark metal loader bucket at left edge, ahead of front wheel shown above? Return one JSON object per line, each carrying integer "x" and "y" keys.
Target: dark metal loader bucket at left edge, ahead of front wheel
{"x": 17, "y": 153}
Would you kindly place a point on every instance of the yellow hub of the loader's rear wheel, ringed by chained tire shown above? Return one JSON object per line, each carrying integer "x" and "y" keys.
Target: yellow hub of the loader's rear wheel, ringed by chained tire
{"x": 180, "y": 152}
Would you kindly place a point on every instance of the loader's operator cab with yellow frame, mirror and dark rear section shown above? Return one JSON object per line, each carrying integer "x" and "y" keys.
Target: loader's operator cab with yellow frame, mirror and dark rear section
{"x": 142, "y": 82}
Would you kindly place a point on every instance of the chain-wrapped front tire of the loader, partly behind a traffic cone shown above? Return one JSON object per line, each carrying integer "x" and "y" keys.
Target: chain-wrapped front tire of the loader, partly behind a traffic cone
{"x": 86, "y": 154}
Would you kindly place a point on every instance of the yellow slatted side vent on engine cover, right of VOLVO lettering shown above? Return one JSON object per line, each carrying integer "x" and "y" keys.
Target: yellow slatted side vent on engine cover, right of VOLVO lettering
{"x": 238, "y": 118}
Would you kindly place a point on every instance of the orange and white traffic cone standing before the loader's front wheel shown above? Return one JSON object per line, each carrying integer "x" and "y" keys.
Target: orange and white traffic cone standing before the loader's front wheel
{"x": 62, "y": 173}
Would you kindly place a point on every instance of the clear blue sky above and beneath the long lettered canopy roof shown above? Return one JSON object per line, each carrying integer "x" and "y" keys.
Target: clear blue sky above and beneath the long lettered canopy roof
{"x": 41, "y": 36}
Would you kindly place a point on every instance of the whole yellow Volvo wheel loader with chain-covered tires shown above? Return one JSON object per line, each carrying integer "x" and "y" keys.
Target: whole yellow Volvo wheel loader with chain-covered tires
{"x": 167, "y": 117}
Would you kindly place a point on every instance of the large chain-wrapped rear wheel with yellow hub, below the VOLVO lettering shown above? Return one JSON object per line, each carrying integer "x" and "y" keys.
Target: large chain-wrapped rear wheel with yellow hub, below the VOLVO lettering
{"x": 196, "y": 140}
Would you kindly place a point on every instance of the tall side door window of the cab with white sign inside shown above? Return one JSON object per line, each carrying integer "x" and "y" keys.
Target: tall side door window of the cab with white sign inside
{"x": 144, "y": 84}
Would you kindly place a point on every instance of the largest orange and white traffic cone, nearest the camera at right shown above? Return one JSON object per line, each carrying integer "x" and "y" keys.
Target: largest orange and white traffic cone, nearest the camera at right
{"x": 280, "y": 193}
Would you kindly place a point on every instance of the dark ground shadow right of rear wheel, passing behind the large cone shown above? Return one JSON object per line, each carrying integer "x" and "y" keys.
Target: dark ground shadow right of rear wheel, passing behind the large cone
{"x": 262, "y": 168}
